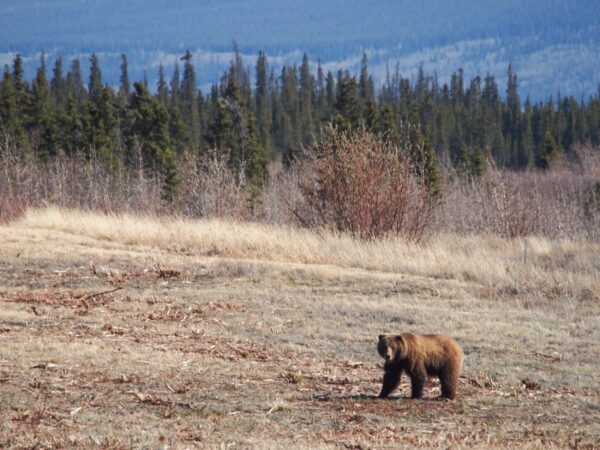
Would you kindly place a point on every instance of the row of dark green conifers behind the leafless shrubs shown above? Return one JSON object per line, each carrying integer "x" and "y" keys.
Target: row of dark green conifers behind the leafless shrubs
{"x": 254, "y": 119}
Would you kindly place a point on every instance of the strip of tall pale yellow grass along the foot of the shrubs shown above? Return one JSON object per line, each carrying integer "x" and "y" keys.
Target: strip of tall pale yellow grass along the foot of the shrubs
{"x": 532, "y": 263}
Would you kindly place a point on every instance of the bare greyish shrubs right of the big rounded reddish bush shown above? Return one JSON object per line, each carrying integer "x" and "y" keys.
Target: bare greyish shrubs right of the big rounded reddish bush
{"x": 553, "y": 203}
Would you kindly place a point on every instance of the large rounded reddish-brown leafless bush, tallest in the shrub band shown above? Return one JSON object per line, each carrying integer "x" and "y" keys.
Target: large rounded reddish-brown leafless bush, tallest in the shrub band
{"x": 363, "y": 184}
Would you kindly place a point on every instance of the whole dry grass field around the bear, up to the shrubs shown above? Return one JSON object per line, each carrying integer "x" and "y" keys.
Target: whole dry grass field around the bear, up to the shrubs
{"x": 125, "y": 332}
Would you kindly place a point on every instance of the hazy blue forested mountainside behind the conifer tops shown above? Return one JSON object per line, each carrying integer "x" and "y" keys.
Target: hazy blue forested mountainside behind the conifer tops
{"x": 553, "y": 45}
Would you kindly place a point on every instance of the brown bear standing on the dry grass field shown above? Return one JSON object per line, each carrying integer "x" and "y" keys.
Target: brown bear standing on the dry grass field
{"x": 419, "y": 357}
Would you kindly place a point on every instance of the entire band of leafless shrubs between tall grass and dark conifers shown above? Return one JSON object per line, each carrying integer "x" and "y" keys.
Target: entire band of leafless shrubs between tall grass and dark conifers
{"x": 357, "y": 183}
